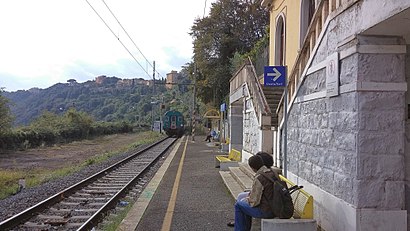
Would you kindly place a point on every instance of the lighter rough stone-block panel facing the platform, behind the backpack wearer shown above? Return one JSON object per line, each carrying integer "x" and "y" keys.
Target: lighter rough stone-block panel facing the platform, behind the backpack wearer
{"x": 322, "y": 143}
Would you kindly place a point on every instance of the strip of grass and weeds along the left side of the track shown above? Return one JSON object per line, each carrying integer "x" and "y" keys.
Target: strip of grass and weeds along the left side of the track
{"x": 9, "y": 178}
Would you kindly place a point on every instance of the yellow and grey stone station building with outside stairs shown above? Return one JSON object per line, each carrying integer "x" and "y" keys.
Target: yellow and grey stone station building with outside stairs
{"x": 347, "y": 123}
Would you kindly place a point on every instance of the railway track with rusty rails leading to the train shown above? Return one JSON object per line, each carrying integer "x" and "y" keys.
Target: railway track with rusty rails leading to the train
{"x": 83, "y": 205}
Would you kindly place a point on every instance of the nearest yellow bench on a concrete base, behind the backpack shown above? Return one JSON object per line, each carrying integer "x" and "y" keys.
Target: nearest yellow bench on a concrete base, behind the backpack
{"x": 302, "y": 217}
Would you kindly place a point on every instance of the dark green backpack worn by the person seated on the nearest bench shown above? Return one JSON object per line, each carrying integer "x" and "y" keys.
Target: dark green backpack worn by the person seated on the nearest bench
{"x": 281, "y": 203}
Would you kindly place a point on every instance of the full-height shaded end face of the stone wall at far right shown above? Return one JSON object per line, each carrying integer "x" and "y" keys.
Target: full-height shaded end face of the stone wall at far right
{"x": 380, "y": 172}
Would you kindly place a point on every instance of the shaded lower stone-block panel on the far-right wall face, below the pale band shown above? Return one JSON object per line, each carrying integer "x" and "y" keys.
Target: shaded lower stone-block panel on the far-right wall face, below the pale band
{"x": 380, "y": 148}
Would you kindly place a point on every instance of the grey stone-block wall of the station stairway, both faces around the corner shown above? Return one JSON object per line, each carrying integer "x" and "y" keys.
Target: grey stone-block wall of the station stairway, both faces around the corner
{"x": 352, "y": 146}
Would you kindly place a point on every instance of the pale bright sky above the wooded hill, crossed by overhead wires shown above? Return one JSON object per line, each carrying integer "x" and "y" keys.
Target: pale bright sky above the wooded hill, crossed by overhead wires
{"x": 45, "y": 42}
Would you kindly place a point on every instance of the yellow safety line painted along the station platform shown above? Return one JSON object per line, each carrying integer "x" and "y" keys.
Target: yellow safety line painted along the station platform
{"x": 166, "y": 225}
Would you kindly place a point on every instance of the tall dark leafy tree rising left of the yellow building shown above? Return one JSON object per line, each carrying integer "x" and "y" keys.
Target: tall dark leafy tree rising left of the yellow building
{"x": 232, "y": 26}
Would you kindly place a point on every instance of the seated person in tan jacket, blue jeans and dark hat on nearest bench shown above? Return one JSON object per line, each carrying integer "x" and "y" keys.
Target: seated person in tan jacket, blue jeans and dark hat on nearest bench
{"x": 256, "y": 204}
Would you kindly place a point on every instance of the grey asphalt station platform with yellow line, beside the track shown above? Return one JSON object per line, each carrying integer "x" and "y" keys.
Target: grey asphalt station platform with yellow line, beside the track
{"x": 187, "y": 192}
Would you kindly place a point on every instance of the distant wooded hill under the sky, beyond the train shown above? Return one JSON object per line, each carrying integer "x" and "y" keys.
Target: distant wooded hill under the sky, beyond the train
{"x": 105, "y": 98}
